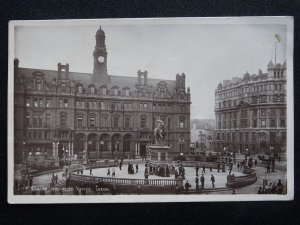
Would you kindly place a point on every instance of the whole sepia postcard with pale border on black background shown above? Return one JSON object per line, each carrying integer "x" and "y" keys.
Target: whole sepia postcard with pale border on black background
{"x": 151, "y": 110}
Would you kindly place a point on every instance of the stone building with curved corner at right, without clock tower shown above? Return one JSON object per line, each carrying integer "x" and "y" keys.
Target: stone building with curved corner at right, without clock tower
{"x": 251, "y": 112}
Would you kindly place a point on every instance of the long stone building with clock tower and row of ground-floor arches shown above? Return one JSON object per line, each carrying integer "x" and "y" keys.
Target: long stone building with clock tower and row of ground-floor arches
{"x": 60, "y": 113}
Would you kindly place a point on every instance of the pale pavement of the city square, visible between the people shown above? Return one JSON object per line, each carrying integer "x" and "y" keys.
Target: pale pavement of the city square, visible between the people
{"x": 43, "y": 181}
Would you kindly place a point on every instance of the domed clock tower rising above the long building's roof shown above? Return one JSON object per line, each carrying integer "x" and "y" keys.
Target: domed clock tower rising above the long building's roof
{"x": 100, "y": 58}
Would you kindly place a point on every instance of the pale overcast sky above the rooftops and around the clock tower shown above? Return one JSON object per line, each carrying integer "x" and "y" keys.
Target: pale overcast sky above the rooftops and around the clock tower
{"x": 207, "y": 54}
